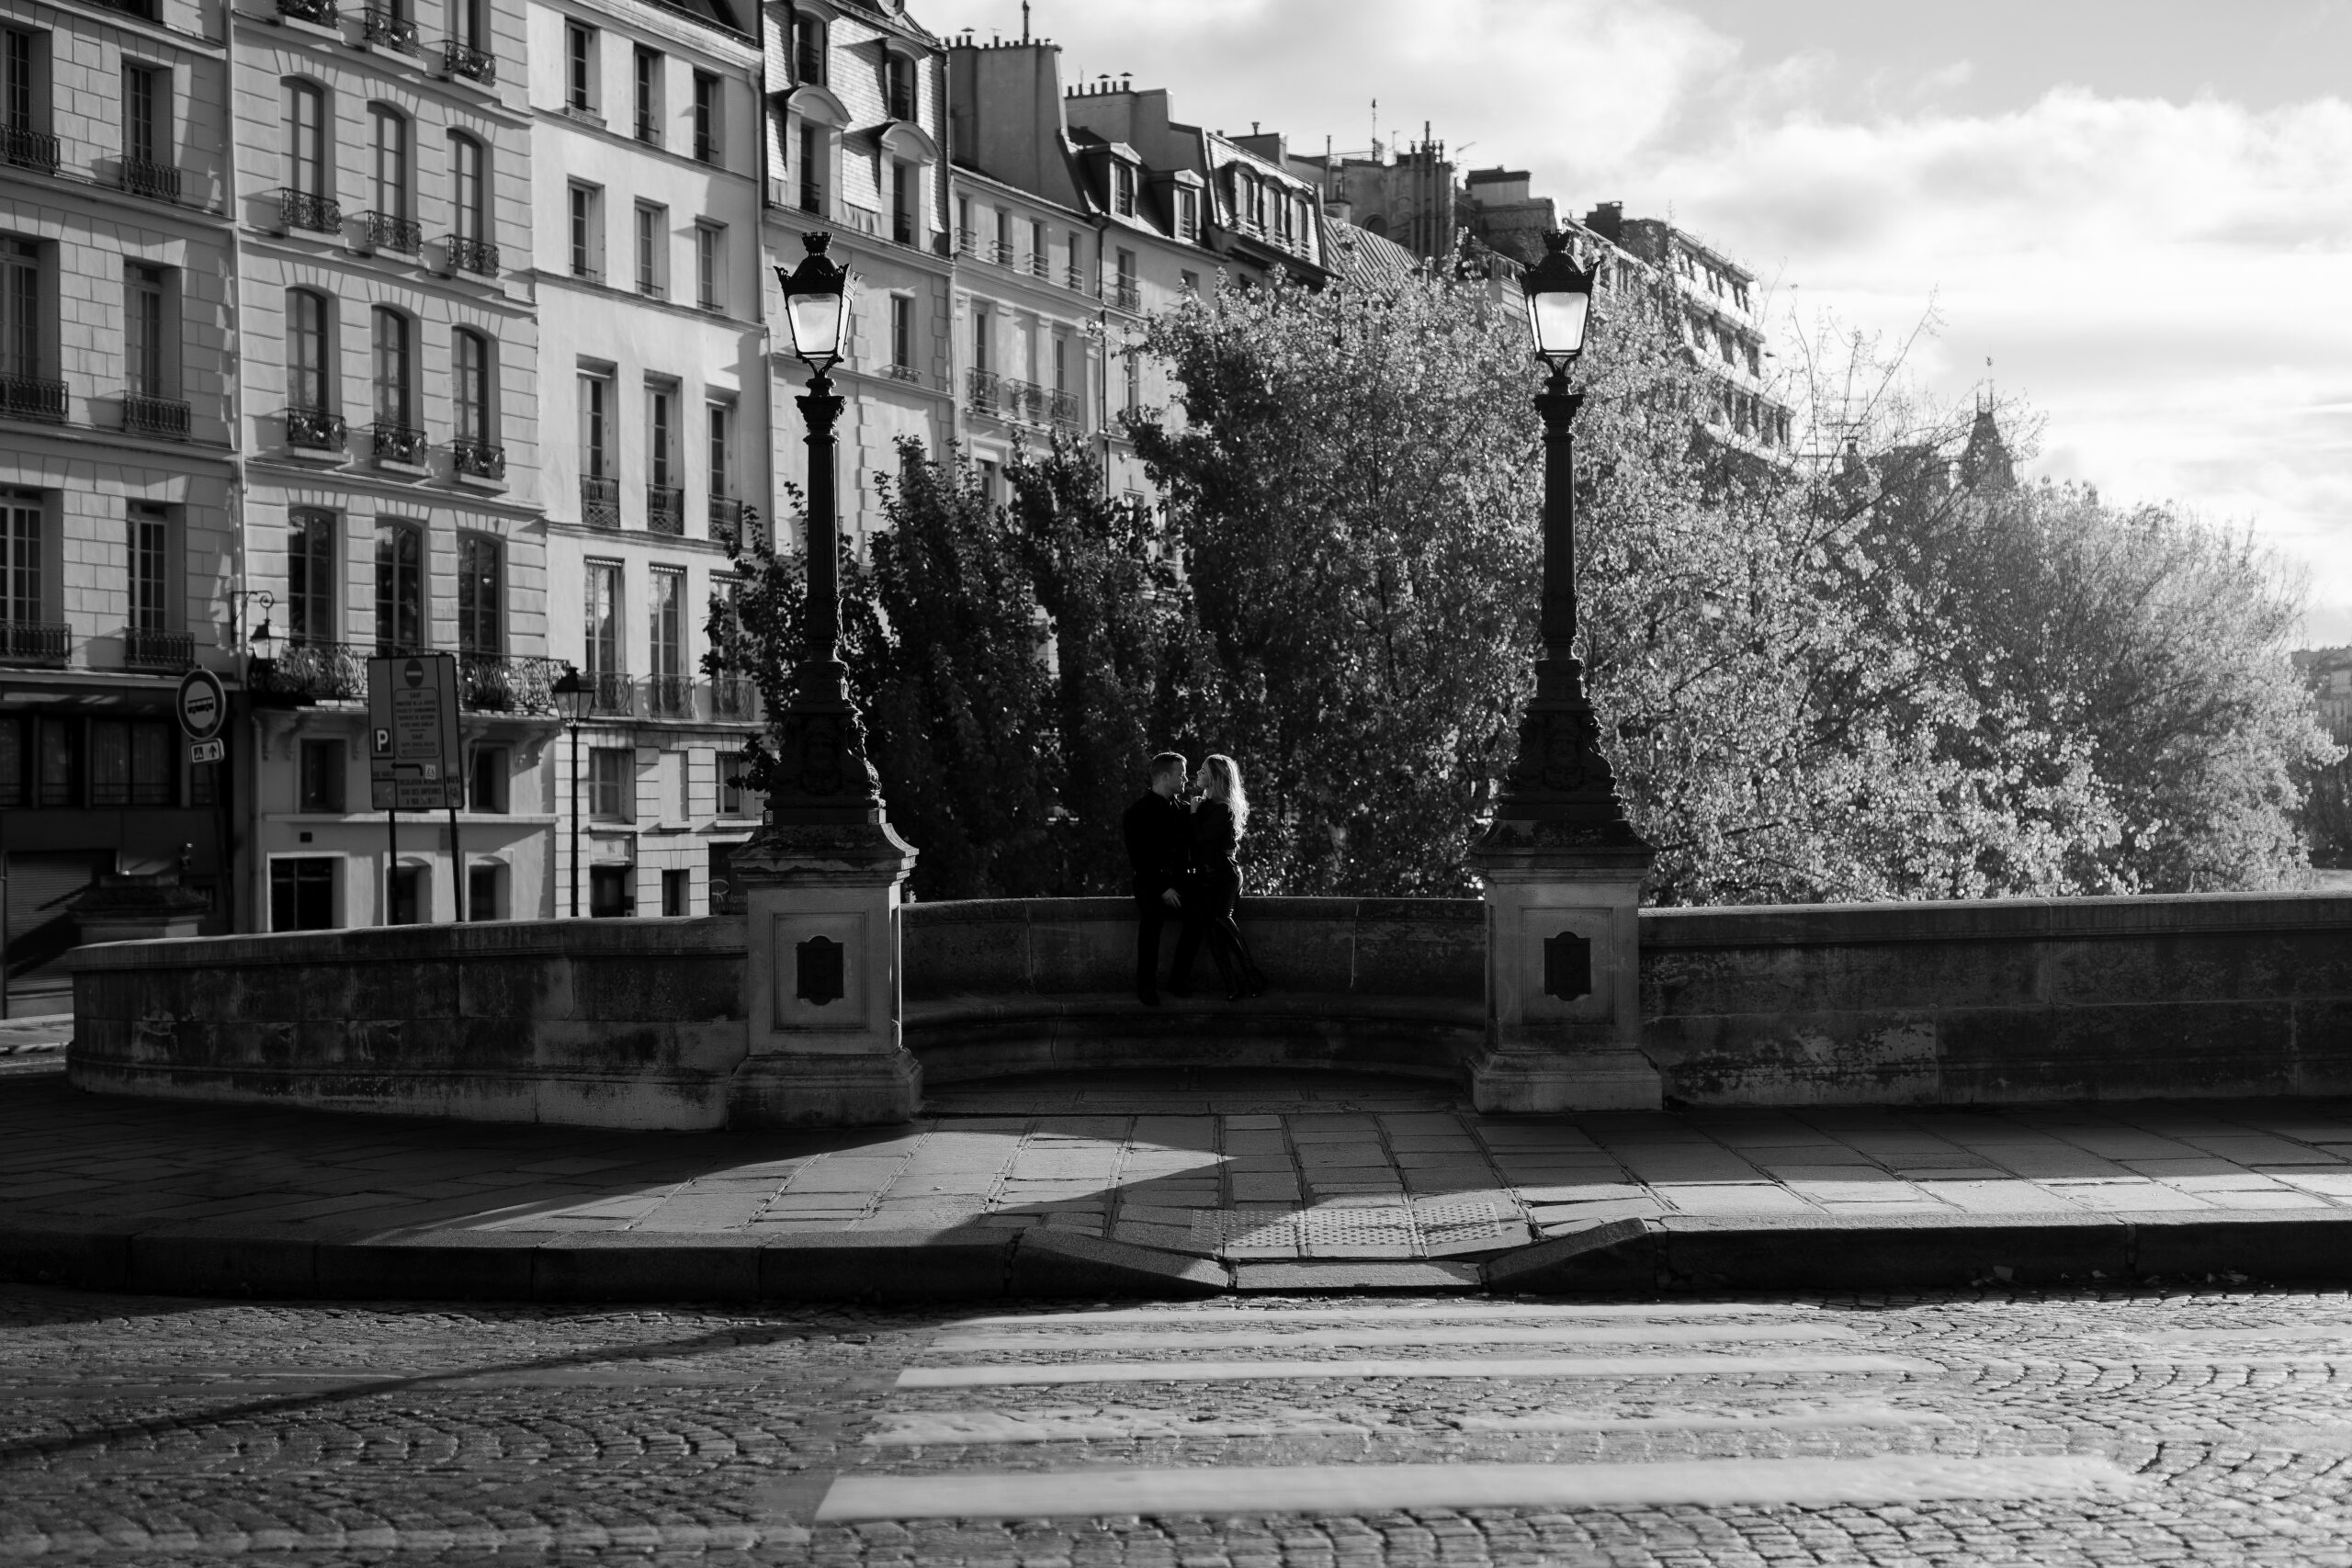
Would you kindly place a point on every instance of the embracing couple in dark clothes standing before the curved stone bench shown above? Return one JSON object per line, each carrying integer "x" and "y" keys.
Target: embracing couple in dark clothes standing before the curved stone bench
{"x": 1182, "y": 850}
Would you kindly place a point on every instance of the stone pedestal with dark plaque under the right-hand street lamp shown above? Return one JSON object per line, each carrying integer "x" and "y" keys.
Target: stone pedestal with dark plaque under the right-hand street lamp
{"x": 1563, "y": 972}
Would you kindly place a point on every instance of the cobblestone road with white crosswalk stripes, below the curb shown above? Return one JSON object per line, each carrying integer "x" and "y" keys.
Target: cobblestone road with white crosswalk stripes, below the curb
{"x": 1958, "y": 1430}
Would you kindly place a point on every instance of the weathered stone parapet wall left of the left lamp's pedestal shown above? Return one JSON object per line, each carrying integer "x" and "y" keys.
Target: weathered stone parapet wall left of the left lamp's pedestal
{"x": 587, "y": 1024}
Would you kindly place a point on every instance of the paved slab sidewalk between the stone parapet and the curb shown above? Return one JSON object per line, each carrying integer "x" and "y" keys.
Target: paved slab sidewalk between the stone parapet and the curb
{"x": 1257, "y": 1167}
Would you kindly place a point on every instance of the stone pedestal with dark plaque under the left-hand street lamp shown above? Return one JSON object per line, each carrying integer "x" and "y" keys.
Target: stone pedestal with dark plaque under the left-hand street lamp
{"x": 822, "y": 979}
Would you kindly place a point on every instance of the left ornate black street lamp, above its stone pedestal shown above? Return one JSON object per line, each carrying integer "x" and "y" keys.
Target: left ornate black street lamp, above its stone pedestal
{"x": 822, "y": 777}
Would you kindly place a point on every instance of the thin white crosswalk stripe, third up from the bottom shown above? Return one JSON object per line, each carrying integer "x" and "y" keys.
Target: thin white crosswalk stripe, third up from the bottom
{"x": 1551, "y": 1367}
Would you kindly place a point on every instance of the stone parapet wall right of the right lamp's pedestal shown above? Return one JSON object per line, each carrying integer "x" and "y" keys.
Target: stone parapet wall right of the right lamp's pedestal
{"x": 2000, "y": 1000}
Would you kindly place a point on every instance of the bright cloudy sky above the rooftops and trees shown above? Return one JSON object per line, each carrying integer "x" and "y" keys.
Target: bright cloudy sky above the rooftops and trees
{"x": 2139, "y": 213}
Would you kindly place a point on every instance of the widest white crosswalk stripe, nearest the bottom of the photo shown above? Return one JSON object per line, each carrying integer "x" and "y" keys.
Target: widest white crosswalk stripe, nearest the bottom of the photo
{"x": 1382, "y": 1489}
